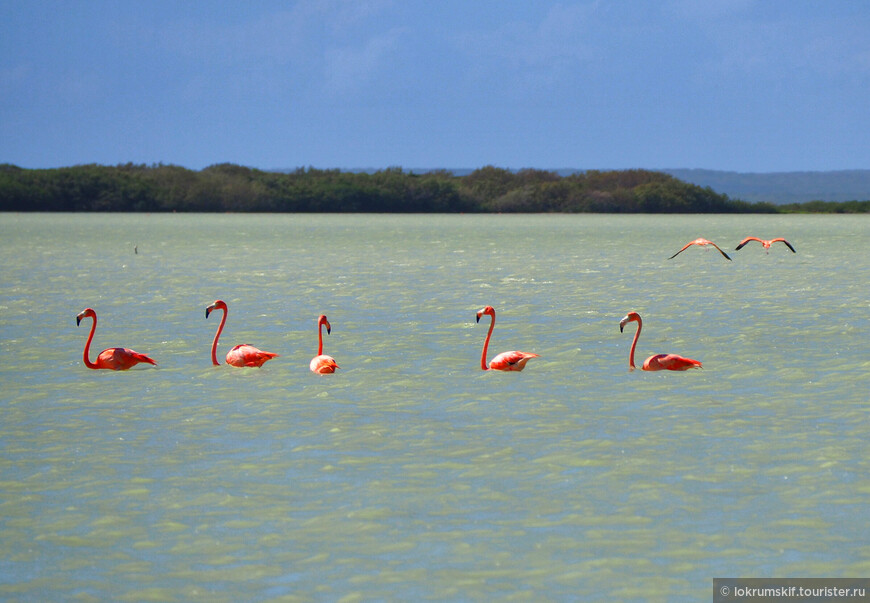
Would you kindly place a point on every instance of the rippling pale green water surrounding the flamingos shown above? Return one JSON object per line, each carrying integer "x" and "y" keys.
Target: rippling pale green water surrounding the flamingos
{"x": 411, "y": 474}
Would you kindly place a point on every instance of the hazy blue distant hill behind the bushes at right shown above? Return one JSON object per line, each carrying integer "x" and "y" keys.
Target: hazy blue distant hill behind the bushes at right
{"x": 782, "y": 187}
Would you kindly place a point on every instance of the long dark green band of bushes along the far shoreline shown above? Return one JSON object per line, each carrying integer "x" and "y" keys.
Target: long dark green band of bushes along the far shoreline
{"x": 233, "y": 188}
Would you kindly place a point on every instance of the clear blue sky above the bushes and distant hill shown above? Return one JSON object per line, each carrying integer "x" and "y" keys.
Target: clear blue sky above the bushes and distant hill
{"x": 741, "y": 85}
